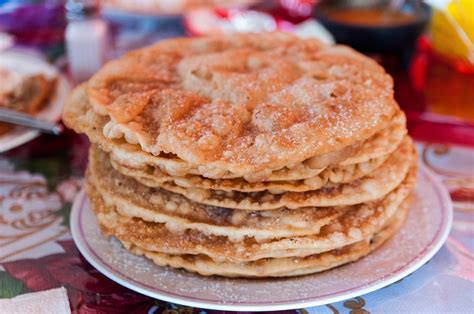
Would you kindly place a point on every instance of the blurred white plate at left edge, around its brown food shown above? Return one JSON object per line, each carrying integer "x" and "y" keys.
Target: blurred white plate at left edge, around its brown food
{"x": 30, "y": 63}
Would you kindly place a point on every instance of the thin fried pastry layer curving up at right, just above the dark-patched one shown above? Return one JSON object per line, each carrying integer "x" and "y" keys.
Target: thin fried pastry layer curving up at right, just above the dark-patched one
{"x": 372, "y": 186}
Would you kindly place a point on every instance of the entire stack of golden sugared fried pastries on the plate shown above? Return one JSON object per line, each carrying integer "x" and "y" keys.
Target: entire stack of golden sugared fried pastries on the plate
{"x": 245, "y": 155}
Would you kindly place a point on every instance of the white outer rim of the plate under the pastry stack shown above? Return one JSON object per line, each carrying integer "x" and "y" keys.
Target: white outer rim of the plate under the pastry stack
{"x": 427, "y": 253}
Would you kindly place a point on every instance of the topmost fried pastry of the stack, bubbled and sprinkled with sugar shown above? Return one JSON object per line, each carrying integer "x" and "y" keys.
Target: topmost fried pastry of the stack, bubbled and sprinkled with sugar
{"x": 243, "y": 103}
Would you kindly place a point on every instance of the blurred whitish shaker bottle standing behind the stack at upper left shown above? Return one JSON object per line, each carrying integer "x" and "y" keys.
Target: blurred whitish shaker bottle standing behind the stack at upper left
{"x": 86, "y": 38}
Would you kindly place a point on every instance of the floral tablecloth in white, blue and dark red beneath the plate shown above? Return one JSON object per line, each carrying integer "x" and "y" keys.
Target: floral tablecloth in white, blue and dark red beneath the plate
{"x": 38, "y": 182}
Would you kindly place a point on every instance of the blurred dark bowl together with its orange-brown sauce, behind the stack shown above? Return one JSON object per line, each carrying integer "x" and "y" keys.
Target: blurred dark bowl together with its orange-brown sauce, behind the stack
{"x": 382, "y": 26}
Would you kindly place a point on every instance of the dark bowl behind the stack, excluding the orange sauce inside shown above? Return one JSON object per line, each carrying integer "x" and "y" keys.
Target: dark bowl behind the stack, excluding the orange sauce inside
{"x": 374, "y": 39}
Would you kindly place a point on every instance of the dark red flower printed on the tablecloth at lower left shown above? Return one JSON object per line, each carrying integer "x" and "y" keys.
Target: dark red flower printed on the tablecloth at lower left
{"x": 88, "y": 290}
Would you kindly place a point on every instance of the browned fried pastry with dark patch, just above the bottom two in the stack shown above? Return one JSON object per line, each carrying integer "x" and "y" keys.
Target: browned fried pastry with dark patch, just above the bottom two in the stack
{"x": 132, "y": 199}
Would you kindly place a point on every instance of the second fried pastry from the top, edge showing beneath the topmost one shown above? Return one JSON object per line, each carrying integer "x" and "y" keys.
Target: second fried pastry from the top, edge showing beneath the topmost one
{"x": 79, "y": 115}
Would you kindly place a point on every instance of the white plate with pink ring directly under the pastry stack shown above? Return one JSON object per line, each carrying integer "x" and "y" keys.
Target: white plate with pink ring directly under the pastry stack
{"x": 423, "y": 234}
